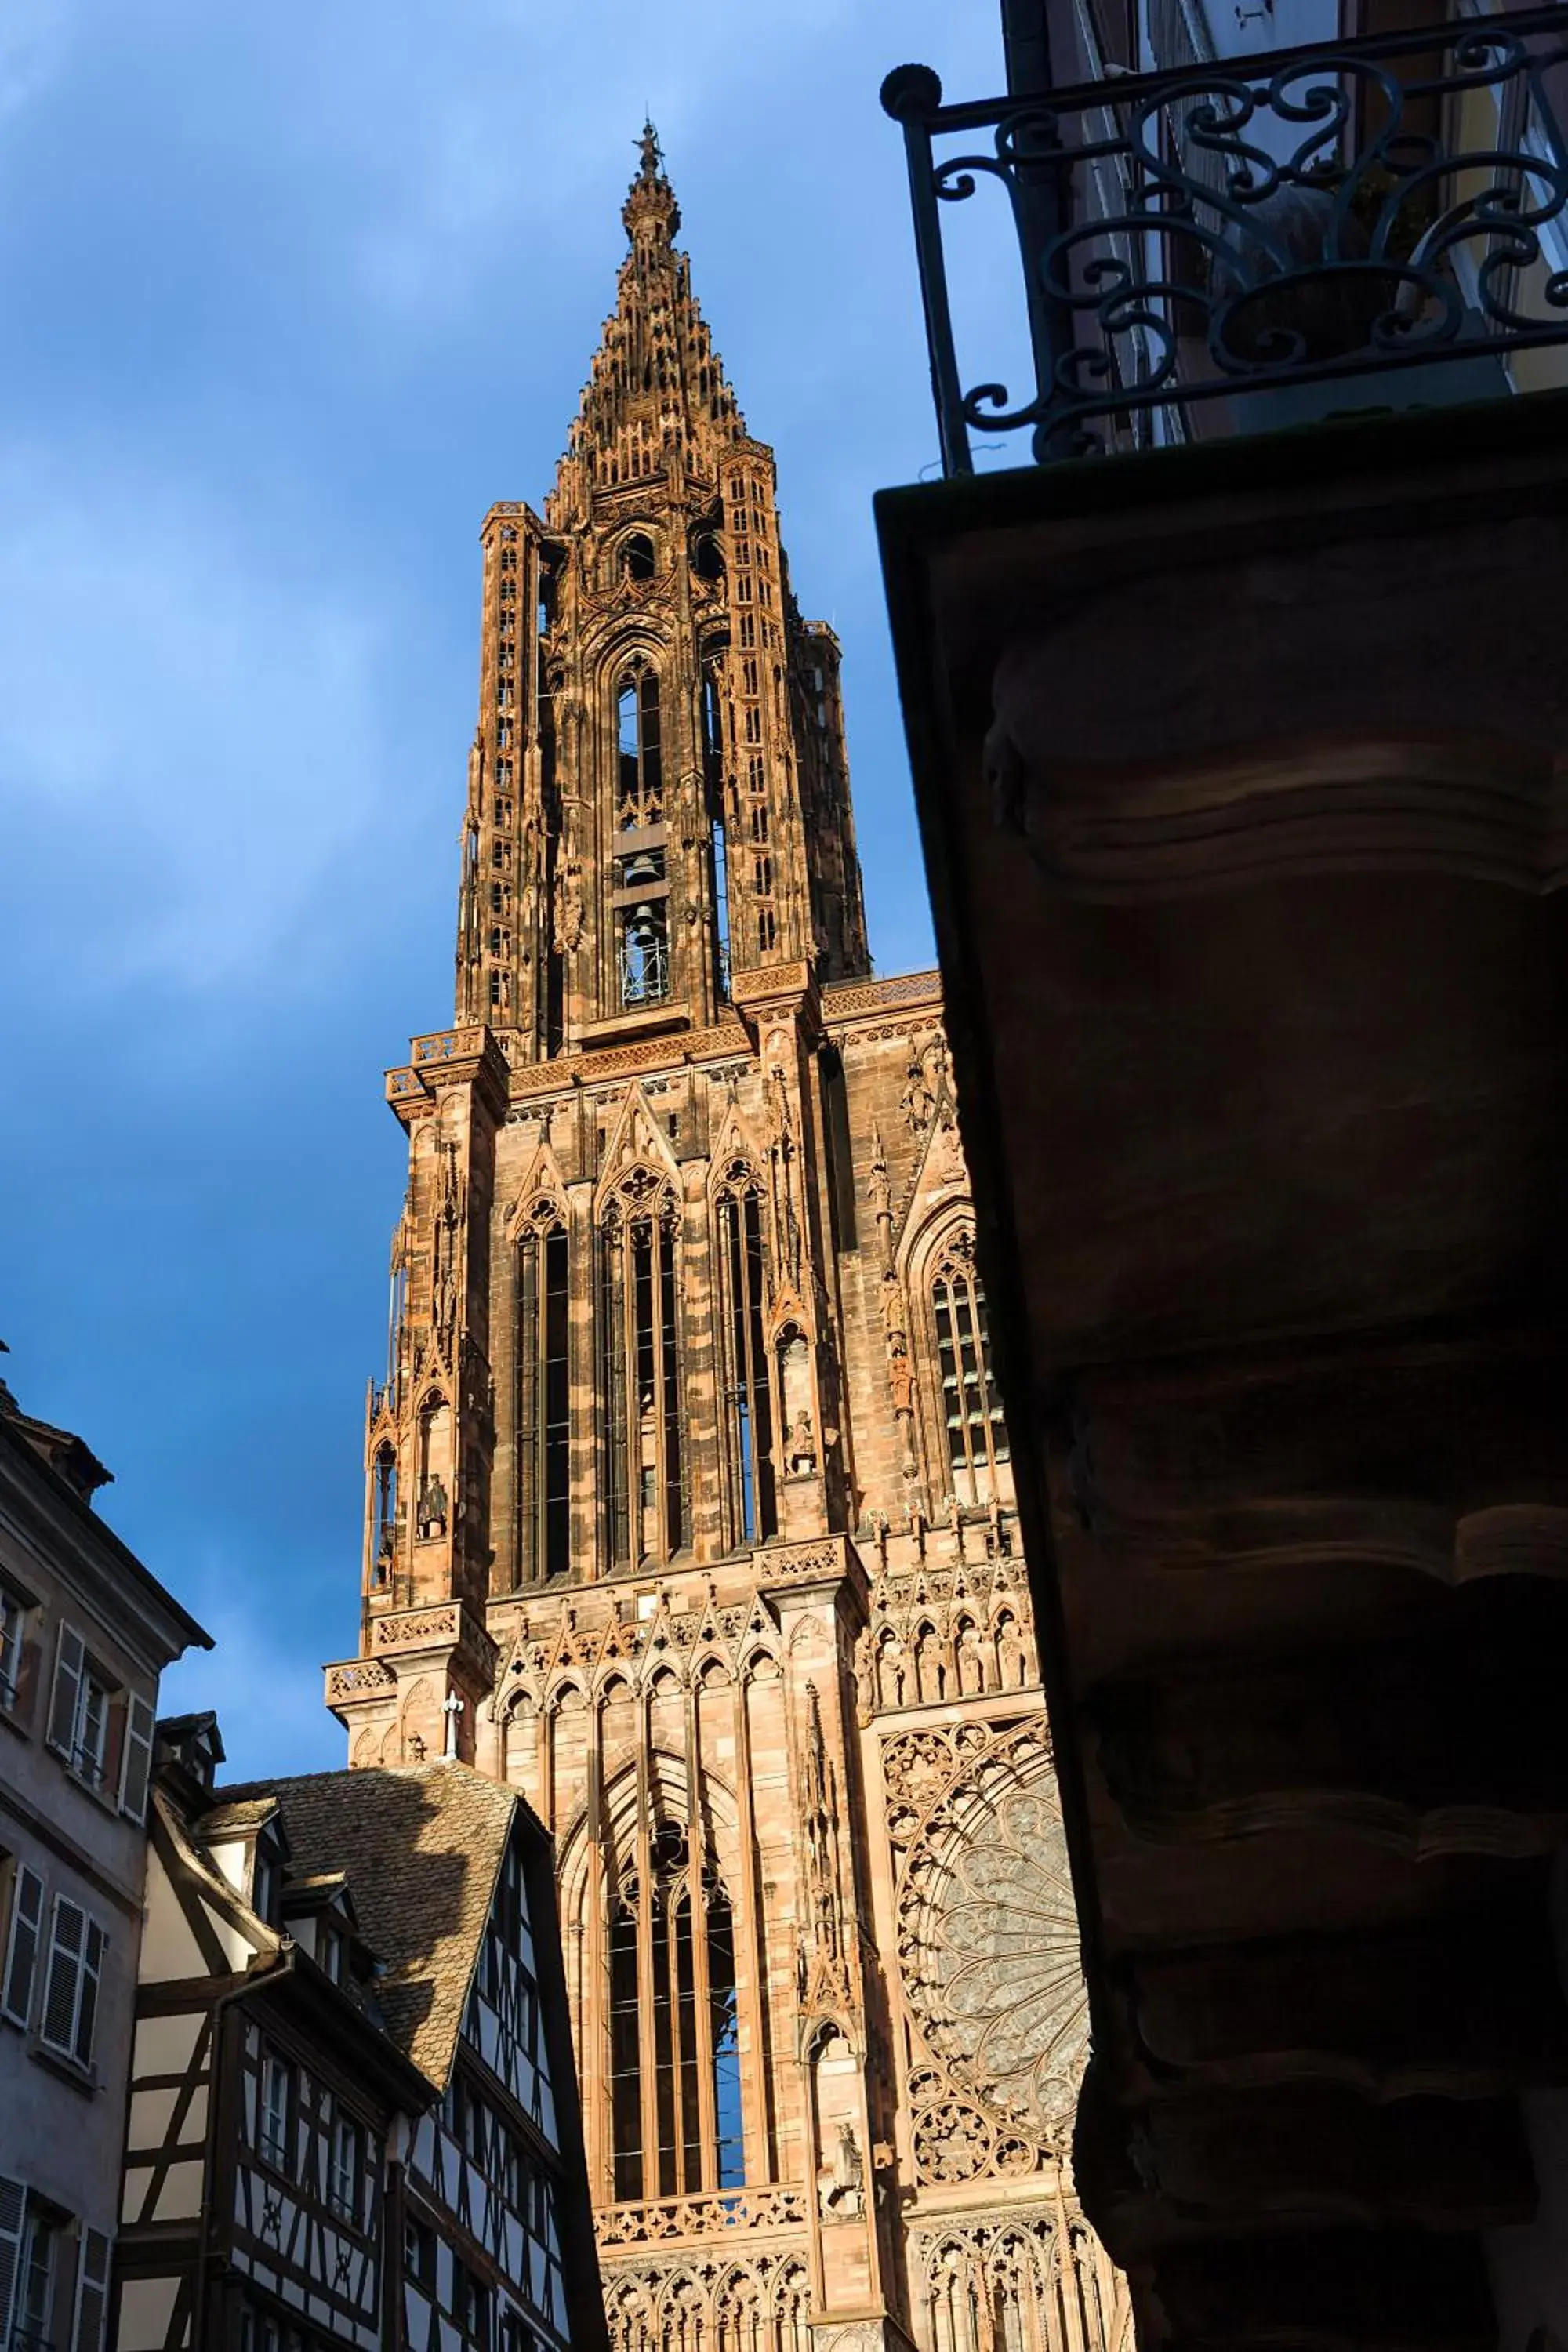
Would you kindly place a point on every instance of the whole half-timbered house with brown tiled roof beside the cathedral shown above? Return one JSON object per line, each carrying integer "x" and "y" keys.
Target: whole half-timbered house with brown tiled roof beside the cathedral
{"x": 354, "y": 2116}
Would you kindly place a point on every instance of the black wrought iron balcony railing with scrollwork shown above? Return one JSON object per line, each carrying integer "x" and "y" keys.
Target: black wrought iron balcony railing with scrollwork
{"x": 1254, "y": 225}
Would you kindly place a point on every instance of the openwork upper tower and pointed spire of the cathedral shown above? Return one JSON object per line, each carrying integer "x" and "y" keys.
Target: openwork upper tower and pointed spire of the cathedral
{"x": 657, "y": 791}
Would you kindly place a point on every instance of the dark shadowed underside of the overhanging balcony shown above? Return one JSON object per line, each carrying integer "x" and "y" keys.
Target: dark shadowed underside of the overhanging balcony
{"x": 1242, "y": 784}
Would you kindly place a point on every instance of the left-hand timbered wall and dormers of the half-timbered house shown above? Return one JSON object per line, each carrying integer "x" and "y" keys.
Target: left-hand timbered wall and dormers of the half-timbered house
{"x": 267, "y": 2092}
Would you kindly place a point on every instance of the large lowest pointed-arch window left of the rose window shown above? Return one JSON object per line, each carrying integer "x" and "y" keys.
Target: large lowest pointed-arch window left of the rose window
{"x": 674, "y": 2045}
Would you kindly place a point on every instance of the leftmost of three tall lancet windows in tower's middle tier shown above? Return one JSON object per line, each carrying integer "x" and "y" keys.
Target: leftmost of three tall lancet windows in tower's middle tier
{"x": 544, "y": 1396}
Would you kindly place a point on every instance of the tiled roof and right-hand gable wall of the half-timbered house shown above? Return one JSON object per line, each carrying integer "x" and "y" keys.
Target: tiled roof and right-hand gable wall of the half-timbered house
{"x": 457, "y": 1897}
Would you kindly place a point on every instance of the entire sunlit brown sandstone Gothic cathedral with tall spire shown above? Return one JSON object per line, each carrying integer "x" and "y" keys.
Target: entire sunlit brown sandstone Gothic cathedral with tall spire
{"x": 688, "y": 1490}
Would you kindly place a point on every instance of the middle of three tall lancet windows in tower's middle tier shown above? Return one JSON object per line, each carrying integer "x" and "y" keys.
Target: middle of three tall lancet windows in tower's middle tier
{"x": 643, "y": 1476}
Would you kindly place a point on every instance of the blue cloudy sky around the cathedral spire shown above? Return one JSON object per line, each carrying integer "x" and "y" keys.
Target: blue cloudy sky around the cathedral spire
{"x": 290, "y": 295}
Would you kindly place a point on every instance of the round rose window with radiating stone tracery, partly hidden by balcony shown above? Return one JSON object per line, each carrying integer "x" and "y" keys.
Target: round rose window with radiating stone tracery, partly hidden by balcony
{"x": 991, "y": 1942}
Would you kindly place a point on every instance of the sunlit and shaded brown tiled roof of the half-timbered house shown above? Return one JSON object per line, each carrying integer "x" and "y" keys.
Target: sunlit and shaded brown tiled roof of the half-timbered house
{"x": 422, "y": 1850}
